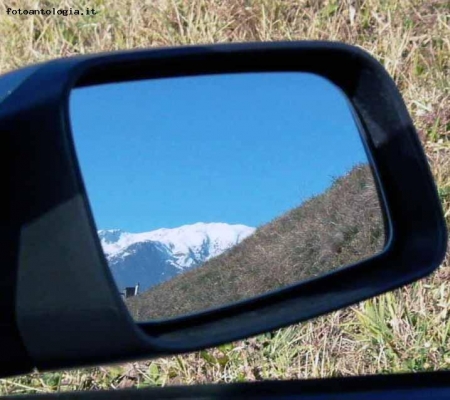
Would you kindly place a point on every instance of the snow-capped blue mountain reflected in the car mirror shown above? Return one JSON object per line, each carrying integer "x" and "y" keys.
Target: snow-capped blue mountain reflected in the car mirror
{"x": 149, "y": 258}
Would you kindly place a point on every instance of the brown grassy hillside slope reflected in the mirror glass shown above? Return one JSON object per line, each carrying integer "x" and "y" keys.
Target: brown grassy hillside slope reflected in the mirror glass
{"x": 336, "y": 228}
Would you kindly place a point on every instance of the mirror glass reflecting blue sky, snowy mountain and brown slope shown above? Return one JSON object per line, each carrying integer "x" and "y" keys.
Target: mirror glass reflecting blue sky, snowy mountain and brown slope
{"x": 210, "y": 190}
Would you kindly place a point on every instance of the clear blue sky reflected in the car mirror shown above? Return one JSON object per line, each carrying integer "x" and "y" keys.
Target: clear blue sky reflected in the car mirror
{"x": 240, "y": 148}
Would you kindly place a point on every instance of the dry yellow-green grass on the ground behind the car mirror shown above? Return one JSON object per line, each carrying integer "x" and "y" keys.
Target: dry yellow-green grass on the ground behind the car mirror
{"x": 407, "y": 330}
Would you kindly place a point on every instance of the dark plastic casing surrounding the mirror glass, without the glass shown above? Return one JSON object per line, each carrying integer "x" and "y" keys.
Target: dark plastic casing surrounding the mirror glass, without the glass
{"x": 59, "y": 306}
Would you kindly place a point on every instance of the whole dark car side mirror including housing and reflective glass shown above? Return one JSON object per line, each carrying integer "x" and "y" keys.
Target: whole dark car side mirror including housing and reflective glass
{"x": 168, "y": 200}
